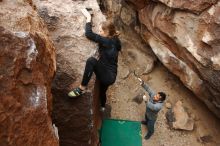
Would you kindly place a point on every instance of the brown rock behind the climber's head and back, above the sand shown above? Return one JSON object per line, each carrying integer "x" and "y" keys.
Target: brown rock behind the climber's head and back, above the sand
{"x": 137, "y": 55}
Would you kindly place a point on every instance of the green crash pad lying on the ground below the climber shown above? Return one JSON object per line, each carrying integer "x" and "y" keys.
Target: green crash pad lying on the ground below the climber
{"x": 120, "y": 133}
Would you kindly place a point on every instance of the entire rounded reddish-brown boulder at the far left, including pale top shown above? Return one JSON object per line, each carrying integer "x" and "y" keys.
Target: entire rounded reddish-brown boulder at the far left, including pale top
{"x": 27, "y": 61}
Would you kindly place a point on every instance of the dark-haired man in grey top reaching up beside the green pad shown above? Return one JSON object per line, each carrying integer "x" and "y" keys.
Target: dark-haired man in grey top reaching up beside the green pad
{"x": 154, "y": 105}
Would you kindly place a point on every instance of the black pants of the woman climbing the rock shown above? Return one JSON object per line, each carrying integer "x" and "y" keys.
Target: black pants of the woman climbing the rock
{"x": 103, "y": 74}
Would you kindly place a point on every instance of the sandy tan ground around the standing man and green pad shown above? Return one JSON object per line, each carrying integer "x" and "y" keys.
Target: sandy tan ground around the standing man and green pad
{"x": 120, "y": 97}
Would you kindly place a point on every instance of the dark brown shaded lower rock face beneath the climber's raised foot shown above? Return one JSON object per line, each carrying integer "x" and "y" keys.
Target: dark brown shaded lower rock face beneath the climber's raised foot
{"x": 71, "y": 116}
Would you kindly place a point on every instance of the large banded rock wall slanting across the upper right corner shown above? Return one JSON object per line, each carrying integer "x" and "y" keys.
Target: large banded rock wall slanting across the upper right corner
{"x": 186, "y": 43}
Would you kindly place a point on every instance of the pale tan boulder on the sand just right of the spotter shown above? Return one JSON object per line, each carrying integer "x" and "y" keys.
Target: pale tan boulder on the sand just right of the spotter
{"x": 182, "y": 119}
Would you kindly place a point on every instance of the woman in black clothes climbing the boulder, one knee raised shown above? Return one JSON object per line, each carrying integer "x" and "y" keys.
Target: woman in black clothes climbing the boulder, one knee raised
{"x": 105, "y": 67}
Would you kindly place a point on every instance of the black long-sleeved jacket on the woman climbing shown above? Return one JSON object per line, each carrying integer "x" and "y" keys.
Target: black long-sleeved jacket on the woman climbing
{"x": 108, "y": 48}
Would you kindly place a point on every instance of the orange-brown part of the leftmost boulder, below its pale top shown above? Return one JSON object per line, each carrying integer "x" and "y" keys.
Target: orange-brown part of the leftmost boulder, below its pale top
{"x": 25, "y": 91}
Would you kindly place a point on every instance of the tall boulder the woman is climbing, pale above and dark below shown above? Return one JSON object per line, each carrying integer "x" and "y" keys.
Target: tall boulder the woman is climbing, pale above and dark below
{"x": 66, "y": 23}
